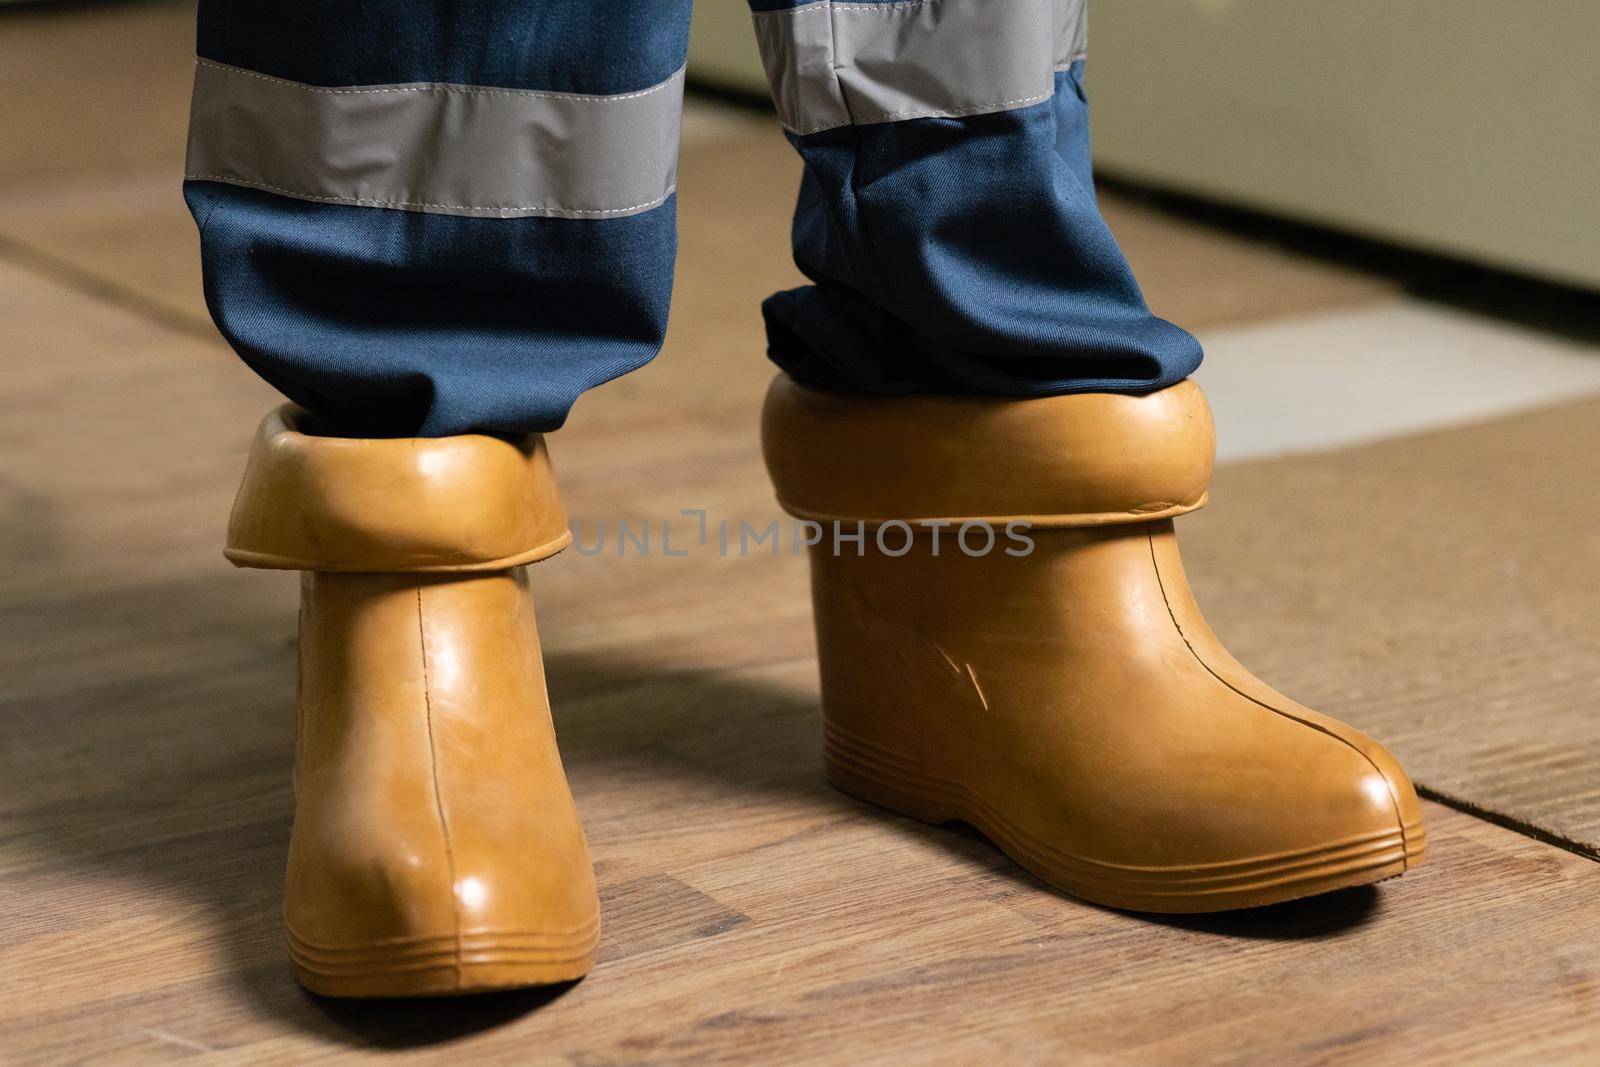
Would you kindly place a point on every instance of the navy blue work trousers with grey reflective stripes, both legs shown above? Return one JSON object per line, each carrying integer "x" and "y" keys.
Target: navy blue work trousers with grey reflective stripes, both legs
{"x": 442, "y": 217}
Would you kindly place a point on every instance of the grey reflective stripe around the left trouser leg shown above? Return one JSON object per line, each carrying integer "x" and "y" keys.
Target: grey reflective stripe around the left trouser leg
{"x": 450, "y": 150}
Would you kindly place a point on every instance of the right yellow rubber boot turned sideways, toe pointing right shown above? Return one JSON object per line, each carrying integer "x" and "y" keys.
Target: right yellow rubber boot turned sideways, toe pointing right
{"x": 1012, "y": 644}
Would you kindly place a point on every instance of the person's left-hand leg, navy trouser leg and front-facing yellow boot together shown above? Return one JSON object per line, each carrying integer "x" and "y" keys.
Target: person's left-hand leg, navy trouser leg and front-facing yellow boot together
{"x": 442, "y": 222}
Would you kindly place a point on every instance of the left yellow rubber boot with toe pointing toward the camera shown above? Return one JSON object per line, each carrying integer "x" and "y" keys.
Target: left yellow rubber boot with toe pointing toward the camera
{"x": 436, "y": 845}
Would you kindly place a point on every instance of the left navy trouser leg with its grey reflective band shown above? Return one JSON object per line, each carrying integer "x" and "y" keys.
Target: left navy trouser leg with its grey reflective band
{"x": 430, "y": 218}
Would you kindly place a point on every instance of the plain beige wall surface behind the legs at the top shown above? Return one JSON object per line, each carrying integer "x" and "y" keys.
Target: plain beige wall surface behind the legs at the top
{"x": 1465, "y": 127}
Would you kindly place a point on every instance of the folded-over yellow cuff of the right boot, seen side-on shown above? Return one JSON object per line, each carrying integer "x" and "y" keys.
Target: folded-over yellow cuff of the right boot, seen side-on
{"x": 1084, "y": 460}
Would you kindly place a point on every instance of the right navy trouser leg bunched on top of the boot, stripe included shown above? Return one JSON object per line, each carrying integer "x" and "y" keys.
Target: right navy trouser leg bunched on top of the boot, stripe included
{"x": 948, "y": 215}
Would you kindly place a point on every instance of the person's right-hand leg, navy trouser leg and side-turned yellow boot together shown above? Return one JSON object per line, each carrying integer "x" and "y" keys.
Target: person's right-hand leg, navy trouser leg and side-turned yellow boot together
{"x": 1004, "y": 629}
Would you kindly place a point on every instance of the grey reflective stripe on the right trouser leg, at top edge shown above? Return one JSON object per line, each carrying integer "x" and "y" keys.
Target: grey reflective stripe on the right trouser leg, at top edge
{"x": 834, "y": 65}
